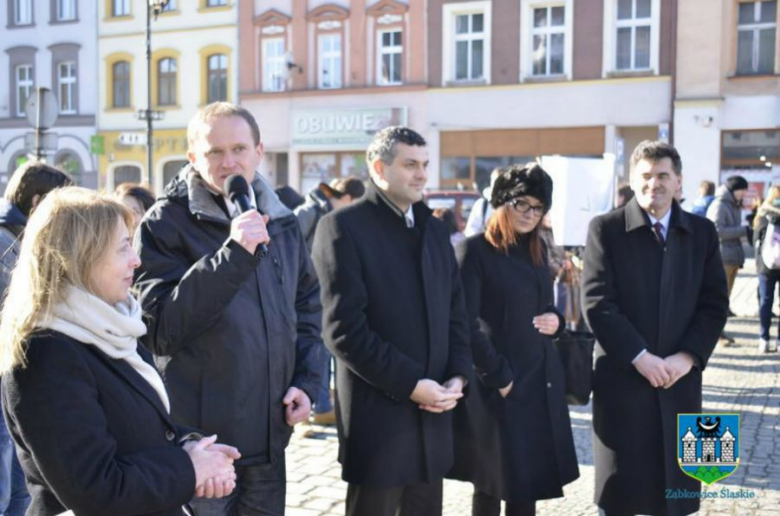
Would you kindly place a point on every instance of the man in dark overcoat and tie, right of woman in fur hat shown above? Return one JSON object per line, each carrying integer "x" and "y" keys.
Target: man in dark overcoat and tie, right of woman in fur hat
{"x": 654, "y": 294}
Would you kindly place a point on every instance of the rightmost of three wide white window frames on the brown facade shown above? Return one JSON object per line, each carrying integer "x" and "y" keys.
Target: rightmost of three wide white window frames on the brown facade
{"x": 611, "y": 25}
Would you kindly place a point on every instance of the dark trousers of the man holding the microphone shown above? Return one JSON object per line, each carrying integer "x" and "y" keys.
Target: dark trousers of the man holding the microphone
{"x": 260, "y": 491}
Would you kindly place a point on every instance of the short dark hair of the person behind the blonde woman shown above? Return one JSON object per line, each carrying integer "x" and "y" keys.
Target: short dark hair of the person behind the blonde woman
{"x": 31, "y": 179}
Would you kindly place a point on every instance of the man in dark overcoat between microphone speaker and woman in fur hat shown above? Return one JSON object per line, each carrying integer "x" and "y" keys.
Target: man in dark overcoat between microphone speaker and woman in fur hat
{"x": 394, "y": 318}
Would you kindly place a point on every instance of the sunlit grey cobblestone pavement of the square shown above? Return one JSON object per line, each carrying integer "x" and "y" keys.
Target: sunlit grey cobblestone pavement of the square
{"x": 737, "y": 380}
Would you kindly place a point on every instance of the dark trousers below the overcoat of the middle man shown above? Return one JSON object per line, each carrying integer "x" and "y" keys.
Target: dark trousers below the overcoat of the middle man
{"x": 413, "y": 500}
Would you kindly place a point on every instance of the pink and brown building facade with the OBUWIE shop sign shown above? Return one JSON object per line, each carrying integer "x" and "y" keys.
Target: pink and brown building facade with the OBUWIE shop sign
{"x": 486, "y": 82}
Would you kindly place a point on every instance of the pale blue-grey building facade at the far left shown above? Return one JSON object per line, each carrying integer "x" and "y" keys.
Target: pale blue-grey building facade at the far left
{"x": 51, "y": 44}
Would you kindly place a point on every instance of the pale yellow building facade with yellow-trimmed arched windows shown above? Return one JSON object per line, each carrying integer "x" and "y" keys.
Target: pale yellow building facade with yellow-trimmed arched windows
{"x": 193, "y": 63}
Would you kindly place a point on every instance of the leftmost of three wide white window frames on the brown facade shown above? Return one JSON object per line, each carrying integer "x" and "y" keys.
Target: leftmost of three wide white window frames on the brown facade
{"x": 450, "y": 13}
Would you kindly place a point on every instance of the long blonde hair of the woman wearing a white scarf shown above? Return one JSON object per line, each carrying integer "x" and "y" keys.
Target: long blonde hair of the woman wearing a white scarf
{"x": 67, "y": 234}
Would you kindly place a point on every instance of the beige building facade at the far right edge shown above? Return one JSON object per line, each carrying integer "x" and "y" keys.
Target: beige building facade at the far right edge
{"x": 727, "y": 92}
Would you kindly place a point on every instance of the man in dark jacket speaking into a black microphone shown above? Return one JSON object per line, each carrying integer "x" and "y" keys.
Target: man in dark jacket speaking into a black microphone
{"x": 232, "y": 305}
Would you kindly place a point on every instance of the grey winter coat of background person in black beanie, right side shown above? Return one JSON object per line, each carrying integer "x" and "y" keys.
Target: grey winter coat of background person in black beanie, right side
{"x": 726, "y": 213}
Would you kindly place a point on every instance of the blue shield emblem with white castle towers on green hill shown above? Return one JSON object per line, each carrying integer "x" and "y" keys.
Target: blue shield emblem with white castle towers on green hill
{"x": 708, "y": 445}
